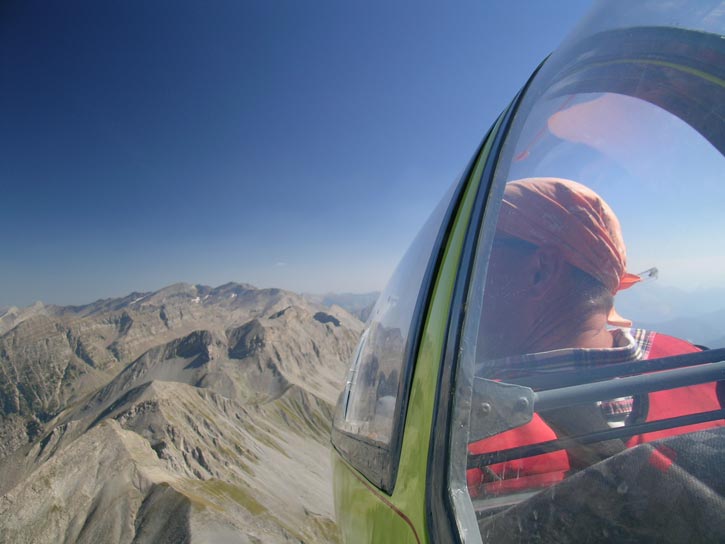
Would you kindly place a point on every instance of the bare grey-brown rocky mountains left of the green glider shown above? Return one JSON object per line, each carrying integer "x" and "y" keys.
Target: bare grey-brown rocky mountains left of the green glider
{"x": 190, "y": 414}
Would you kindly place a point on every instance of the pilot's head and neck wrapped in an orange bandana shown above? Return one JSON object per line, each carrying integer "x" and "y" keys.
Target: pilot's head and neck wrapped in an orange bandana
{"x": 558, "y": 259}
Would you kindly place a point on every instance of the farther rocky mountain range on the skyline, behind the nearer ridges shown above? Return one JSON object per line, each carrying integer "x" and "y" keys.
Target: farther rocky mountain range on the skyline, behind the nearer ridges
{"x": 56, "y": 356}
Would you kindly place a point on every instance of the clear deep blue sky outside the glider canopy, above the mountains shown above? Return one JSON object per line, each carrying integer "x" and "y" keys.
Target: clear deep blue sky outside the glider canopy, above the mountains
{"x": 280, "y": 143}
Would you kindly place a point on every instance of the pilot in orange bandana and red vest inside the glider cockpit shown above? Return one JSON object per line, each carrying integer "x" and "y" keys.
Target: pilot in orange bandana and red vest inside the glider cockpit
{"x": 558, "y": 259}
